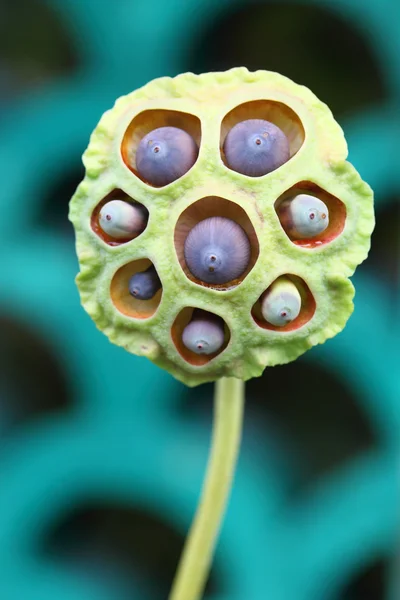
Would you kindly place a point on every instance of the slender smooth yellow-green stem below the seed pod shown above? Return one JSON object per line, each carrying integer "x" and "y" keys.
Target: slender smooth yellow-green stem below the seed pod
{"x": 197, "y": 556}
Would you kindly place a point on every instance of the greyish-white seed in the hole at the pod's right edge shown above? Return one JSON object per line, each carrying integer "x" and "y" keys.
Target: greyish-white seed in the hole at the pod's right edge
{"x": 304, "y": 216}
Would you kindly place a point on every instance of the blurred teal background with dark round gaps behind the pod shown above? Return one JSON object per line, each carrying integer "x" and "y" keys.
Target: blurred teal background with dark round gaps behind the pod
{"x": 101, "y": 453}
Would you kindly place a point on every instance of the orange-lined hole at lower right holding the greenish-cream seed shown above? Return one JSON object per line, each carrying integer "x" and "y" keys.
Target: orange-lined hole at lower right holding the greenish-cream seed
{"x": 307, "y": 307}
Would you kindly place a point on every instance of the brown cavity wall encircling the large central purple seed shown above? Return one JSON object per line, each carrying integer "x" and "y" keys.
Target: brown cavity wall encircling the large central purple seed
{"x": 213, "y": 206}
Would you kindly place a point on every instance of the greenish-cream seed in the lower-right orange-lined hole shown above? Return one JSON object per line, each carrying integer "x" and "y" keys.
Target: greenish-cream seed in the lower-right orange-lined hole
{"x": 281, "y": 303}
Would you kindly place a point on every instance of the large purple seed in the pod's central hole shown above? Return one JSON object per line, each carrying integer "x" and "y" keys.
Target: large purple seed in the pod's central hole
{"x": 217, "y": 250}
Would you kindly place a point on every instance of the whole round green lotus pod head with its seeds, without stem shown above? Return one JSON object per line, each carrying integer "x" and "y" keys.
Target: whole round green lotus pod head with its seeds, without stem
{"x": 256, "y": 251}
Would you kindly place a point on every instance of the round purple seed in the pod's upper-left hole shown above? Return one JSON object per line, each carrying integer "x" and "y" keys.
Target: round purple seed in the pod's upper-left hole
{"x": 165, "y": 154}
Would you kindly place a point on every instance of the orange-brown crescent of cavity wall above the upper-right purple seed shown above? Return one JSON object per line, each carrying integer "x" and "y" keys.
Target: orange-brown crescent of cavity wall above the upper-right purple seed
{"x": 275, "y": 112}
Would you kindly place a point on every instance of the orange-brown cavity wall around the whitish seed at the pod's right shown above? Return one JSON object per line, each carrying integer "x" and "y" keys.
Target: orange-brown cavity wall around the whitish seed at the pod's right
{"x": 337, "y": 213}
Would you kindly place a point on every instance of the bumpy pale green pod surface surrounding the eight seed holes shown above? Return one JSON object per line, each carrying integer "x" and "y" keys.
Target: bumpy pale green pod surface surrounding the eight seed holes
{"x": 320, "y": 160}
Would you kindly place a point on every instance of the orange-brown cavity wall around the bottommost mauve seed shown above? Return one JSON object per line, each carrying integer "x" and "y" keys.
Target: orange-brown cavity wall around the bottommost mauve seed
{"x": 183, "y": 319}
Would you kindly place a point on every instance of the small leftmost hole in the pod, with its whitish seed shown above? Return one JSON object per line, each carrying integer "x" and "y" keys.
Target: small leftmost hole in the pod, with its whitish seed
{"x": 119, "y": 219}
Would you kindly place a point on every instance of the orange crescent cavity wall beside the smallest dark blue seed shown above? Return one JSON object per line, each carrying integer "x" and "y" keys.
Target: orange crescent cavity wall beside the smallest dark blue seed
{"x": 122, "y": 299}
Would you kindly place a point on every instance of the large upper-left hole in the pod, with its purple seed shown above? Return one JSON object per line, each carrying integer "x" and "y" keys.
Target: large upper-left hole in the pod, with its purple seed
{"x": 164, "y": 170}
